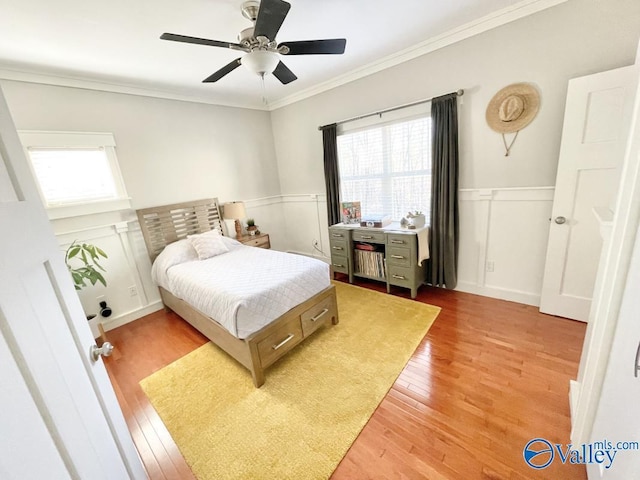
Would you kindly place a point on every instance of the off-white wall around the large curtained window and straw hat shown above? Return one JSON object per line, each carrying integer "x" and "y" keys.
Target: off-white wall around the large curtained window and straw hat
{"x": 576, "y": 38}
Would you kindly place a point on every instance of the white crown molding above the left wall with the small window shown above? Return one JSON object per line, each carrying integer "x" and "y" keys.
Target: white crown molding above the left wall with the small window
{"x": 88, "y": 84}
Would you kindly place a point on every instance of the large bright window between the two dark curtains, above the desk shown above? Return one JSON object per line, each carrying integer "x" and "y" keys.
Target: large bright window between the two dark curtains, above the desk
{"x": 387, "y": 167}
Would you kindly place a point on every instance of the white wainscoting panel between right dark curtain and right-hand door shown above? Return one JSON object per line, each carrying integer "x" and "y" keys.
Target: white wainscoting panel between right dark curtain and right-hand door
{"x": 503, "y": 244}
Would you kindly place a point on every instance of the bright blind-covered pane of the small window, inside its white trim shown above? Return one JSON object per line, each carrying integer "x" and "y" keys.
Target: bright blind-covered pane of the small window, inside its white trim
{"x": 73, "y": 175}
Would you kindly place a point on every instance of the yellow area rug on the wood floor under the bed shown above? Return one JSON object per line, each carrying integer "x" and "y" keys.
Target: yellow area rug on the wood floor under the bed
{"x": 315, "y": 401}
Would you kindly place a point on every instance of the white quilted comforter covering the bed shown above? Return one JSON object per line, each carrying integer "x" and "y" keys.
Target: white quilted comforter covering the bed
{"x": 245, "y": 288}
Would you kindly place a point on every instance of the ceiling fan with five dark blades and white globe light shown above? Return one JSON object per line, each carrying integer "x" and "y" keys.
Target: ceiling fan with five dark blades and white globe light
{"x": 259, "y": 42}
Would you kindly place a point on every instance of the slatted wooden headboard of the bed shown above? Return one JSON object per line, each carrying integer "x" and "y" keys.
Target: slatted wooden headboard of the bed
{"x": 170, "y": 223}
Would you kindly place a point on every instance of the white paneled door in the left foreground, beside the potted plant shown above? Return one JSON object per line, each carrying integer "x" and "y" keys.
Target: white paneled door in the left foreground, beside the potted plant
{"x": 59, "y": 417}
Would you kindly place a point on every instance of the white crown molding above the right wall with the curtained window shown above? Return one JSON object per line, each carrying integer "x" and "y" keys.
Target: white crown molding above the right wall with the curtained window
{"x": 496, "y": 19}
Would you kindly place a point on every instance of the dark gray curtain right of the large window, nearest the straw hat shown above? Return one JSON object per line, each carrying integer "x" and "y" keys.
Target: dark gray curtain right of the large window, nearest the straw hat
{"x": 444, "y": 235}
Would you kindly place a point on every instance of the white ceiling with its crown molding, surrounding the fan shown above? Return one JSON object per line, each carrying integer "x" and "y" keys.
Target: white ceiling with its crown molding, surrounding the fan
{"x": 115, "y": 45}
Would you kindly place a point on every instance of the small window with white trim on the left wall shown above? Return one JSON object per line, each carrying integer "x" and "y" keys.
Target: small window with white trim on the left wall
{"x": 77, "y": 173}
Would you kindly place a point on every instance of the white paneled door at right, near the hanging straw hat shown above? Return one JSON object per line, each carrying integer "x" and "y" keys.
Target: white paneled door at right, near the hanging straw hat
{"x": 594, "y": 135}
